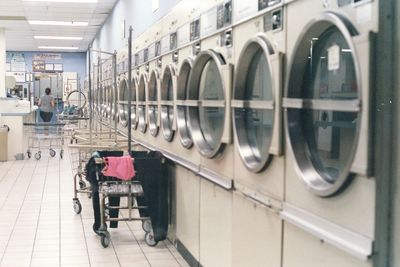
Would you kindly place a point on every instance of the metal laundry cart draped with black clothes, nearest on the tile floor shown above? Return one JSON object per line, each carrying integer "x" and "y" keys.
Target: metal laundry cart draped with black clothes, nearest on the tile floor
{"x": 146, "y": 196}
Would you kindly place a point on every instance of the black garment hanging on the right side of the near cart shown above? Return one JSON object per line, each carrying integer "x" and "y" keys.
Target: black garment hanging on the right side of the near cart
{"x": 150, "y": 170}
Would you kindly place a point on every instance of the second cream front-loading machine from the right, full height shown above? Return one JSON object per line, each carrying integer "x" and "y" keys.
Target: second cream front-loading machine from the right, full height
{"x": 259, "y": 47}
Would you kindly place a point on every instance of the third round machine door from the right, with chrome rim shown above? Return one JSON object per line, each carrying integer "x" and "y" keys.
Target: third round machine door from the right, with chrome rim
{"x": 207, "y": 103}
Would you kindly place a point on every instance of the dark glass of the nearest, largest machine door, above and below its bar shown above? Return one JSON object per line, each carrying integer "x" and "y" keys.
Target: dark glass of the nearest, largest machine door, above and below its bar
{"x": 330, "y": 74}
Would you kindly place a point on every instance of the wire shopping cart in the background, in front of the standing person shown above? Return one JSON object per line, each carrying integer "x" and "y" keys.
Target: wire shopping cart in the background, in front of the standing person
{"x": 45, "y": 135}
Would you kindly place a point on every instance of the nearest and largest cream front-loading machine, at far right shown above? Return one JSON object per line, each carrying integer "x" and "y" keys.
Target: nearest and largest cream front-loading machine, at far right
{"x": 329, "y": 208}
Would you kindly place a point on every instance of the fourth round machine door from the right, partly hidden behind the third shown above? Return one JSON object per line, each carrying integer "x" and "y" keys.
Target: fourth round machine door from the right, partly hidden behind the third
{"x": 182, "y": 113}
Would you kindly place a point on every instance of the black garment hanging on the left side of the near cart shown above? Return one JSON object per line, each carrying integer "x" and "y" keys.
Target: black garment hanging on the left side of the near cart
{"x": 91, "y": 169}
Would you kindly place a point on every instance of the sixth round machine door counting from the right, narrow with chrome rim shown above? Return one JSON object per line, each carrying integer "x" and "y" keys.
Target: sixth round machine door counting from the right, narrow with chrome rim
{"x": 153, "y": 103}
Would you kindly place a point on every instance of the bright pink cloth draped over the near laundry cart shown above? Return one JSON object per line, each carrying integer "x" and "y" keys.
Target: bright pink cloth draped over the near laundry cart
{"x": 119, "y": 167}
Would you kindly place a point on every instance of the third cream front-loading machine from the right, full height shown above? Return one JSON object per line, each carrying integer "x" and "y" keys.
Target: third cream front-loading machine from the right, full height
{"x": 209, "y": 114}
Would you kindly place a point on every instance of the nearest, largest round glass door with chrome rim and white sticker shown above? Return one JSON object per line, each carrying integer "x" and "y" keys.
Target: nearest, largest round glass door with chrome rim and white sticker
{"x": 323, "y": 104}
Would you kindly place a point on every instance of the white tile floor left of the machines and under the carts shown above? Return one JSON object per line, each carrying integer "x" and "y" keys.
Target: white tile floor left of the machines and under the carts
{"x": 39, "y": 227}
